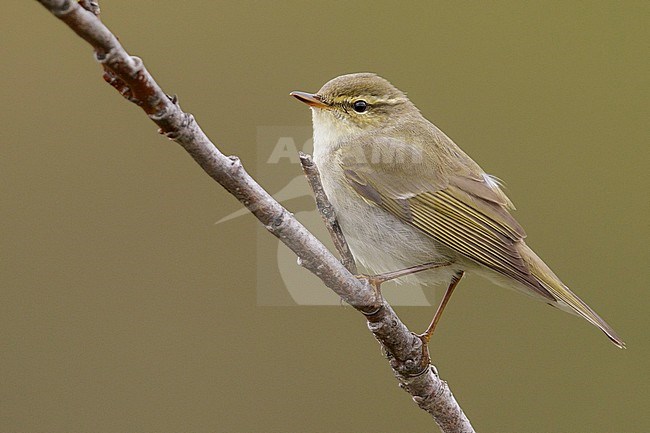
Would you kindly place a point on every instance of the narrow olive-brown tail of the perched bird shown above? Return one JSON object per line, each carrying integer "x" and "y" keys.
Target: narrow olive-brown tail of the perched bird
{"x": 565, "y": 298}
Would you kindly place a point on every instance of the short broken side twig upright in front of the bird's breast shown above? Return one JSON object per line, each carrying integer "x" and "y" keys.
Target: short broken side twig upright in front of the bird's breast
{"x": 327, "y": 212}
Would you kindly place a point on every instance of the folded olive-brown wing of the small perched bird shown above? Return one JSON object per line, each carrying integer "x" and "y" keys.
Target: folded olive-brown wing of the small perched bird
{"x": 468, "y": 215}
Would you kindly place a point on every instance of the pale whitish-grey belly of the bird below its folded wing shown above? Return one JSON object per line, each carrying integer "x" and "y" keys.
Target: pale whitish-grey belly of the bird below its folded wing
{"x": 382, "y": 242}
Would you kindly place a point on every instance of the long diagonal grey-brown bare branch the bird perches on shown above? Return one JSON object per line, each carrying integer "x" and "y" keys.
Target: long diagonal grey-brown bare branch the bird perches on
{"x": 404, "y": 350}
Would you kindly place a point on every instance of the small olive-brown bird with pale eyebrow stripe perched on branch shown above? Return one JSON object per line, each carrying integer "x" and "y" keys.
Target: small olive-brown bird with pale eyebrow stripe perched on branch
{"x": 408, "y": 199}
